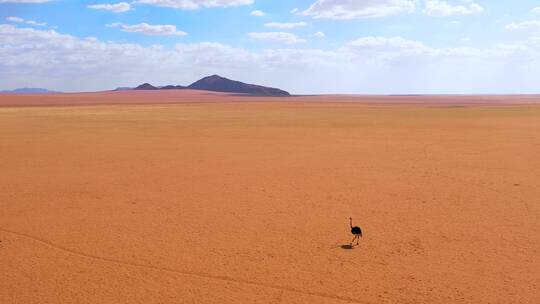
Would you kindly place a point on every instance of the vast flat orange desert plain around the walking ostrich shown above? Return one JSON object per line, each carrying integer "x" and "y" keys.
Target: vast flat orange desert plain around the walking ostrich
{"x": 228, "y": 199}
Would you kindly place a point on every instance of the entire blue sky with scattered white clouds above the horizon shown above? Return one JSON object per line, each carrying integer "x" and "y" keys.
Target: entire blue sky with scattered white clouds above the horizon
{"x": 302, "y": 46}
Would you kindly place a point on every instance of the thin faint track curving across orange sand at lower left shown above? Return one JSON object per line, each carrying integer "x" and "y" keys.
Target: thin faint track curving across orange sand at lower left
{"x": 181, "y": 272}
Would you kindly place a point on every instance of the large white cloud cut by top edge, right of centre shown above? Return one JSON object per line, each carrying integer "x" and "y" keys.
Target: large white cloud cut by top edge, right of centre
{"x": 352, "y": 9}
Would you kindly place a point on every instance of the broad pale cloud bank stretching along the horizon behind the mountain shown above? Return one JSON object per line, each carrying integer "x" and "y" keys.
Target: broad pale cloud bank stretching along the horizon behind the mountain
{"x": 385, "y": 65}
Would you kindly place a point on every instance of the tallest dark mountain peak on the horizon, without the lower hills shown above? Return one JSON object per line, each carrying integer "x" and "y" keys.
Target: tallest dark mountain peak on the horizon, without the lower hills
{"x": 221, "y": 84}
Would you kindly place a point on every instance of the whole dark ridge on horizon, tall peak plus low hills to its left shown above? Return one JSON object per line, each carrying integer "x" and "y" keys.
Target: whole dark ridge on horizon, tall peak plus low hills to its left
{"x": 217, "y": 83}
